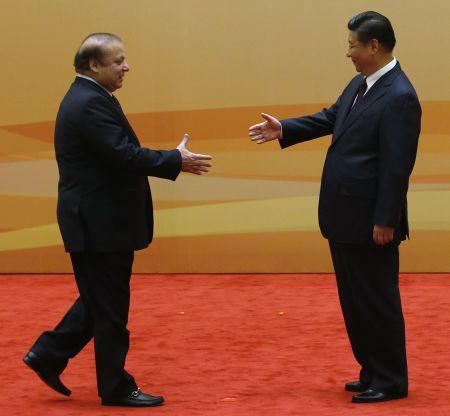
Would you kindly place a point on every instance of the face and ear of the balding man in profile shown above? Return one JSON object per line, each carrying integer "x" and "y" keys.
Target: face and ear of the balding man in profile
{"x": 111, "y": 70}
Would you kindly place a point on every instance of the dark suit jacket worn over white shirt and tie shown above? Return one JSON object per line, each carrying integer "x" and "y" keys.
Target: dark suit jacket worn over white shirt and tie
{"x": 371, "y": 156}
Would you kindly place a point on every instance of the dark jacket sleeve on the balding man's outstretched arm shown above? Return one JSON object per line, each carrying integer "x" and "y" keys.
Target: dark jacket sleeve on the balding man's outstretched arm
{"x": 105, "y": 136}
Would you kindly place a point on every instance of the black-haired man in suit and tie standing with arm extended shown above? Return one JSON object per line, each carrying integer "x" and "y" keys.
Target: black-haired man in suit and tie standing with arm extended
{"x": 375, "y": 126}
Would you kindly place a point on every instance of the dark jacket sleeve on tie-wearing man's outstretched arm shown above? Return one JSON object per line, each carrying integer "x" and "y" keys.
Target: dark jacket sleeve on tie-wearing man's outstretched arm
{"x": 302, "y": 129}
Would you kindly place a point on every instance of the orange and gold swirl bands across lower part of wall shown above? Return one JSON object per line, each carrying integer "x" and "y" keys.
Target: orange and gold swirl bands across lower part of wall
{"x": 255, "y": 212}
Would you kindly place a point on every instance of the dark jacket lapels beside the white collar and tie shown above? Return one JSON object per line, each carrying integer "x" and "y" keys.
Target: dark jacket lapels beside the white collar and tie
{"x": 374, "y": 94}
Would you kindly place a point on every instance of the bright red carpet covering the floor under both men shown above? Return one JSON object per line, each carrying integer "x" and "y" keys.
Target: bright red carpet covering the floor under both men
{"x": 227, "y": 345}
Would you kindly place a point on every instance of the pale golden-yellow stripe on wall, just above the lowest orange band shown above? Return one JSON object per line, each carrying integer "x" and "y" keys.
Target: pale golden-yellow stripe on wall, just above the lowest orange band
{"x": 272, "y": 215}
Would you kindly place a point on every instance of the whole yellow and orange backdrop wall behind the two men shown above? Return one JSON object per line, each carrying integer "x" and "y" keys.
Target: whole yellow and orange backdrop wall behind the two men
{"x": 209, "y": 68}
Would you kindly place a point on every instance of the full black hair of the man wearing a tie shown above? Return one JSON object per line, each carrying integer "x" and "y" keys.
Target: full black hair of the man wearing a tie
{"x": 373, "y": 25}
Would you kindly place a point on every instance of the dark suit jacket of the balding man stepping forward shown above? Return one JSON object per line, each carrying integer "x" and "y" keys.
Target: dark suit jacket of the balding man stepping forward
{"x": 104, "y": 199}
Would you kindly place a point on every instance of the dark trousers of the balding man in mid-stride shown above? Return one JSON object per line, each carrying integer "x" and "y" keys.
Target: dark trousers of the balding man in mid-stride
{"x": 101, "y": 312}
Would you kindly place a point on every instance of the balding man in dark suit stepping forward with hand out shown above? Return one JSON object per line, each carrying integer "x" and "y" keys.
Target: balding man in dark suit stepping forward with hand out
{"x": 104, "y": 213}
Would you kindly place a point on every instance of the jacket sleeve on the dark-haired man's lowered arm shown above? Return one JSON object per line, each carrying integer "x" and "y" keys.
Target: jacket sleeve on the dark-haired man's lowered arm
{"x": 398, "y": 140}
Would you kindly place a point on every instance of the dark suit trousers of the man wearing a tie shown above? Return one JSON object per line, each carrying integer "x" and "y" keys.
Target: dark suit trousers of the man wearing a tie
{"x": 367, "y": 281}
